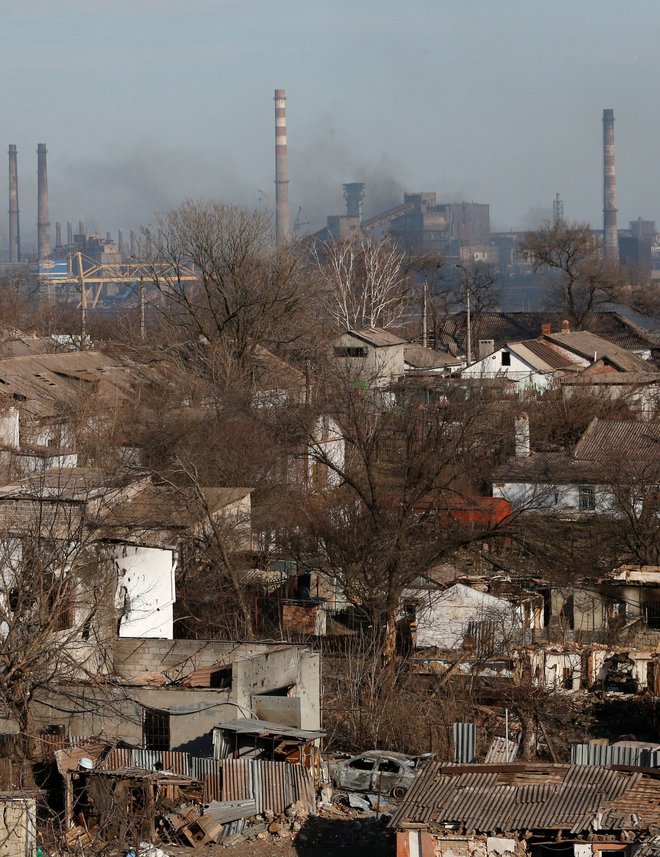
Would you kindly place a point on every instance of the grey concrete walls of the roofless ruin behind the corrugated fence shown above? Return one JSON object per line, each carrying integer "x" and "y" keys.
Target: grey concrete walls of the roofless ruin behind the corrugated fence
{"x": 116, "y": 710}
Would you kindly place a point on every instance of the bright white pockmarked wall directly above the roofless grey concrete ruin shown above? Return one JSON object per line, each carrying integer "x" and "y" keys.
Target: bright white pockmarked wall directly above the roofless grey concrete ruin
{"x": 145, "y": 591}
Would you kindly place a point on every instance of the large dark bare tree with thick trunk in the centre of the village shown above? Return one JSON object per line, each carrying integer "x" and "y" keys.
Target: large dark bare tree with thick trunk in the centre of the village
{"x": 387, "y": 518}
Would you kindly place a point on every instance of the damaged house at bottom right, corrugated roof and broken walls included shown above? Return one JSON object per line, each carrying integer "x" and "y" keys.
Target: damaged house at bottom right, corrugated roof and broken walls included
{"x": 538, "y": 810}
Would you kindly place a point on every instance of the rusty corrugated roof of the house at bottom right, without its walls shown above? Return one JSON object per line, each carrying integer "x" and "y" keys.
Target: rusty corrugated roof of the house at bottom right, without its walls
{"x": 531, "y": 797}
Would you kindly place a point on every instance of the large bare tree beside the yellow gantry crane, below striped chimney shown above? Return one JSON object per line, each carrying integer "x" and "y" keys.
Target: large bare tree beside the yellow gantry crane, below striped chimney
{"x": 243, "y": 292}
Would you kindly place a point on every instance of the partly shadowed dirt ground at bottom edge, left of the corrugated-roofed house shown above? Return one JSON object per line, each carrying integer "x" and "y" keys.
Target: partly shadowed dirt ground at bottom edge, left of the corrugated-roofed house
{"x": 365, "y": 837}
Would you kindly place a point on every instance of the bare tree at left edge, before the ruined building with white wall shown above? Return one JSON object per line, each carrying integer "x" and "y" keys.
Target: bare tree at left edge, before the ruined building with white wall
{"x": 57, "y": 612}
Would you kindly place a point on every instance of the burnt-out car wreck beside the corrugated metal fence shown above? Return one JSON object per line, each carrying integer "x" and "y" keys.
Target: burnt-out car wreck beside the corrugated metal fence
{"x": 377, "y": 772}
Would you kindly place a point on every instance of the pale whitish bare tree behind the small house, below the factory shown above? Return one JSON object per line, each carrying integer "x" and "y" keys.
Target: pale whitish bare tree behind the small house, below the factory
{"x": 363, "y": 281}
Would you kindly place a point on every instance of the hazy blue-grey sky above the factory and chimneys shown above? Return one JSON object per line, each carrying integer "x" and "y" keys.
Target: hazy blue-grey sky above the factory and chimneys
{"x": 143, "y": 103}
